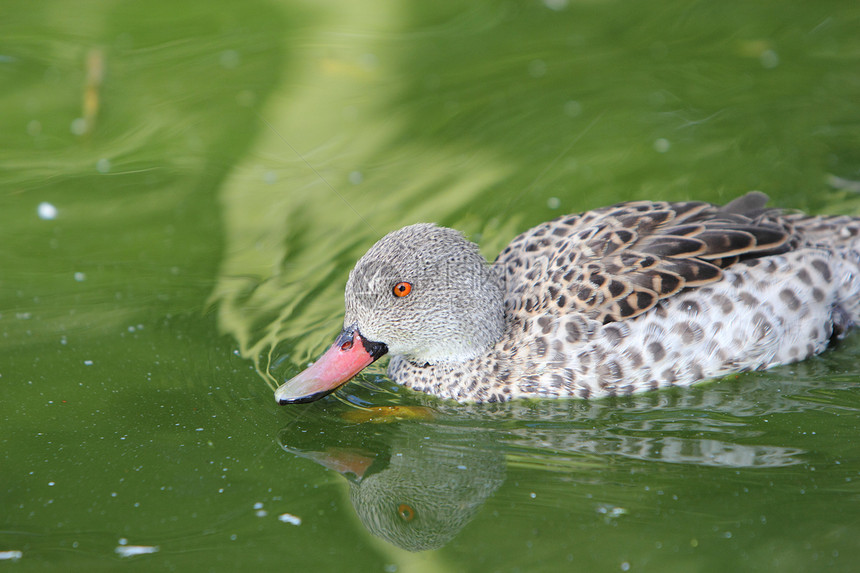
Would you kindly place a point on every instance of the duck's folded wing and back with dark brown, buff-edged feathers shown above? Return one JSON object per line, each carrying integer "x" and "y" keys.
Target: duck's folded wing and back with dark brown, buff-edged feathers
{"x": 617, "y": 262}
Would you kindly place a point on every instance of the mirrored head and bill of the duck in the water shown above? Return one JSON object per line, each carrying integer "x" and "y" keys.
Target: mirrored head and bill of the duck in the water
{"x": 417, "y": 486}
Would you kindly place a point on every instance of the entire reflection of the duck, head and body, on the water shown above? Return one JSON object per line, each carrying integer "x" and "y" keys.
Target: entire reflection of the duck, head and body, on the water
{"x": 418, "y": 475}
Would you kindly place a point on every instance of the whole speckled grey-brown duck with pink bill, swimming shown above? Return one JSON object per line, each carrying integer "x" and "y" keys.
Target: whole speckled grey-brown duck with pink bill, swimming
{"x": 632, "y": 297}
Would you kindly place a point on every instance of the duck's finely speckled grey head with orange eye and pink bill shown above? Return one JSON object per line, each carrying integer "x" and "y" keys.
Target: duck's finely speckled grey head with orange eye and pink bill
{"x": 424, "y": 292}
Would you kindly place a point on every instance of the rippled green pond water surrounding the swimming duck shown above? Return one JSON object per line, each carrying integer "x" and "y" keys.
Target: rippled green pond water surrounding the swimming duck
{"x": 177, "y": 231}
